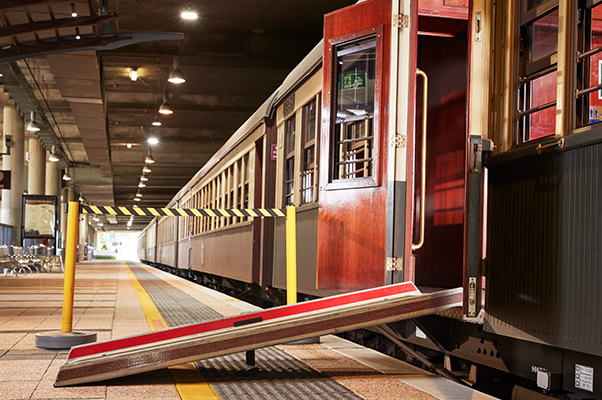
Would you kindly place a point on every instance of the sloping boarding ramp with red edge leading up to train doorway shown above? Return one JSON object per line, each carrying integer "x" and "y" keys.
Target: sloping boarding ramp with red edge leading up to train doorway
{"x": 160, "y": 349}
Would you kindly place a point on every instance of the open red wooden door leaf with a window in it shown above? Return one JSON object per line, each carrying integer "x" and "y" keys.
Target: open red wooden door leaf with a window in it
{"x": 352, "y": 216}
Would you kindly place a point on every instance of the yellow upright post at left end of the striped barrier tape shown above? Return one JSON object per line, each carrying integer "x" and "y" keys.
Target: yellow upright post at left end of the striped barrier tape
{"x": 70, "y": 255}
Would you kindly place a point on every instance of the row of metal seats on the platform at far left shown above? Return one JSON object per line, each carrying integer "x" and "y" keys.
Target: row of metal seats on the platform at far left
{"x": 14, "y": 261}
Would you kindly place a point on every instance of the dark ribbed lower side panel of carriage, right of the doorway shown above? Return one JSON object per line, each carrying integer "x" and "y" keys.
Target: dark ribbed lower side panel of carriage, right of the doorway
{"x": 545, "y": 240}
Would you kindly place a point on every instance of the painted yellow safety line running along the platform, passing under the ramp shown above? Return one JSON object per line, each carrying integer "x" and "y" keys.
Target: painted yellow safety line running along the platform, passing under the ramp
{"x": 189, "y": 382}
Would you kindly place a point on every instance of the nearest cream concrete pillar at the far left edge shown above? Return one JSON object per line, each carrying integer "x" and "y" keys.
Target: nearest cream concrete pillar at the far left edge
{"x": 14, "y": 126}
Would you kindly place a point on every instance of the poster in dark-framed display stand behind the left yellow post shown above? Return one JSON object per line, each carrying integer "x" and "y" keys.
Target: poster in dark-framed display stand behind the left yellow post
{"x": 39, "y": 216}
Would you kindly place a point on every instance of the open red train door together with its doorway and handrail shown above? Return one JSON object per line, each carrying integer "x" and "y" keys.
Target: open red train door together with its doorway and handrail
{"x": 383, "y": 218}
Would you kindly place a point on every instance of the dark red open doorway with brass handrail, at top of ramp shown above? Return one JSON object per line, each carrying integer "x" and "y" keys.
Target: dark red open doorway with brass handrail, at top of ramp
{"x": 436, "y": 203}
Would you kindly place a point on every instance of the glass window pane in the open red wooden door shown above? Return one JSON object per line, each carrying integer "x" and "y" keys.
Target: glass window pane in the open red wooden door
{"x": 354, "y": 104}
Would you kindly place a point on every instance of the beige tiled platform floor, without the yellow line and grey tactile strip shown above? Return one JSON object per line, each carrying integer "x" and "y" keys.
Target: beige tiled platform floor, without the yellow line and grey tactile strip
{"x": 106, "y": 303}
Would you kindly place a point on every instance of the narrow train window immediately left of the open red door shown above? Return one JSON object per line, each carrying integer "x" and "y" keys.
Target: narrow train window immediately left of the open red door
{"x": 308, "y": 134}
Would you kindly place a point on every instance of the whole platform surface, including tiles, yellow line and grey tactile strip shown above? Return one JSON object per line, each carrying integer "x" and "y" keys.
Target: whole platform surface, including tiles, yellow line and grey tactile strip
{"x": 115, "y": 299}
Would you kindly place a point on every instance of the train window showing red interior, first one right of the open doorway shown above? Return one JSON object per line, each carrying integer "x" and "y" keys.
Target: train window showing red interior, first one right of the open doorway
{"x": 538, "y": 77}
